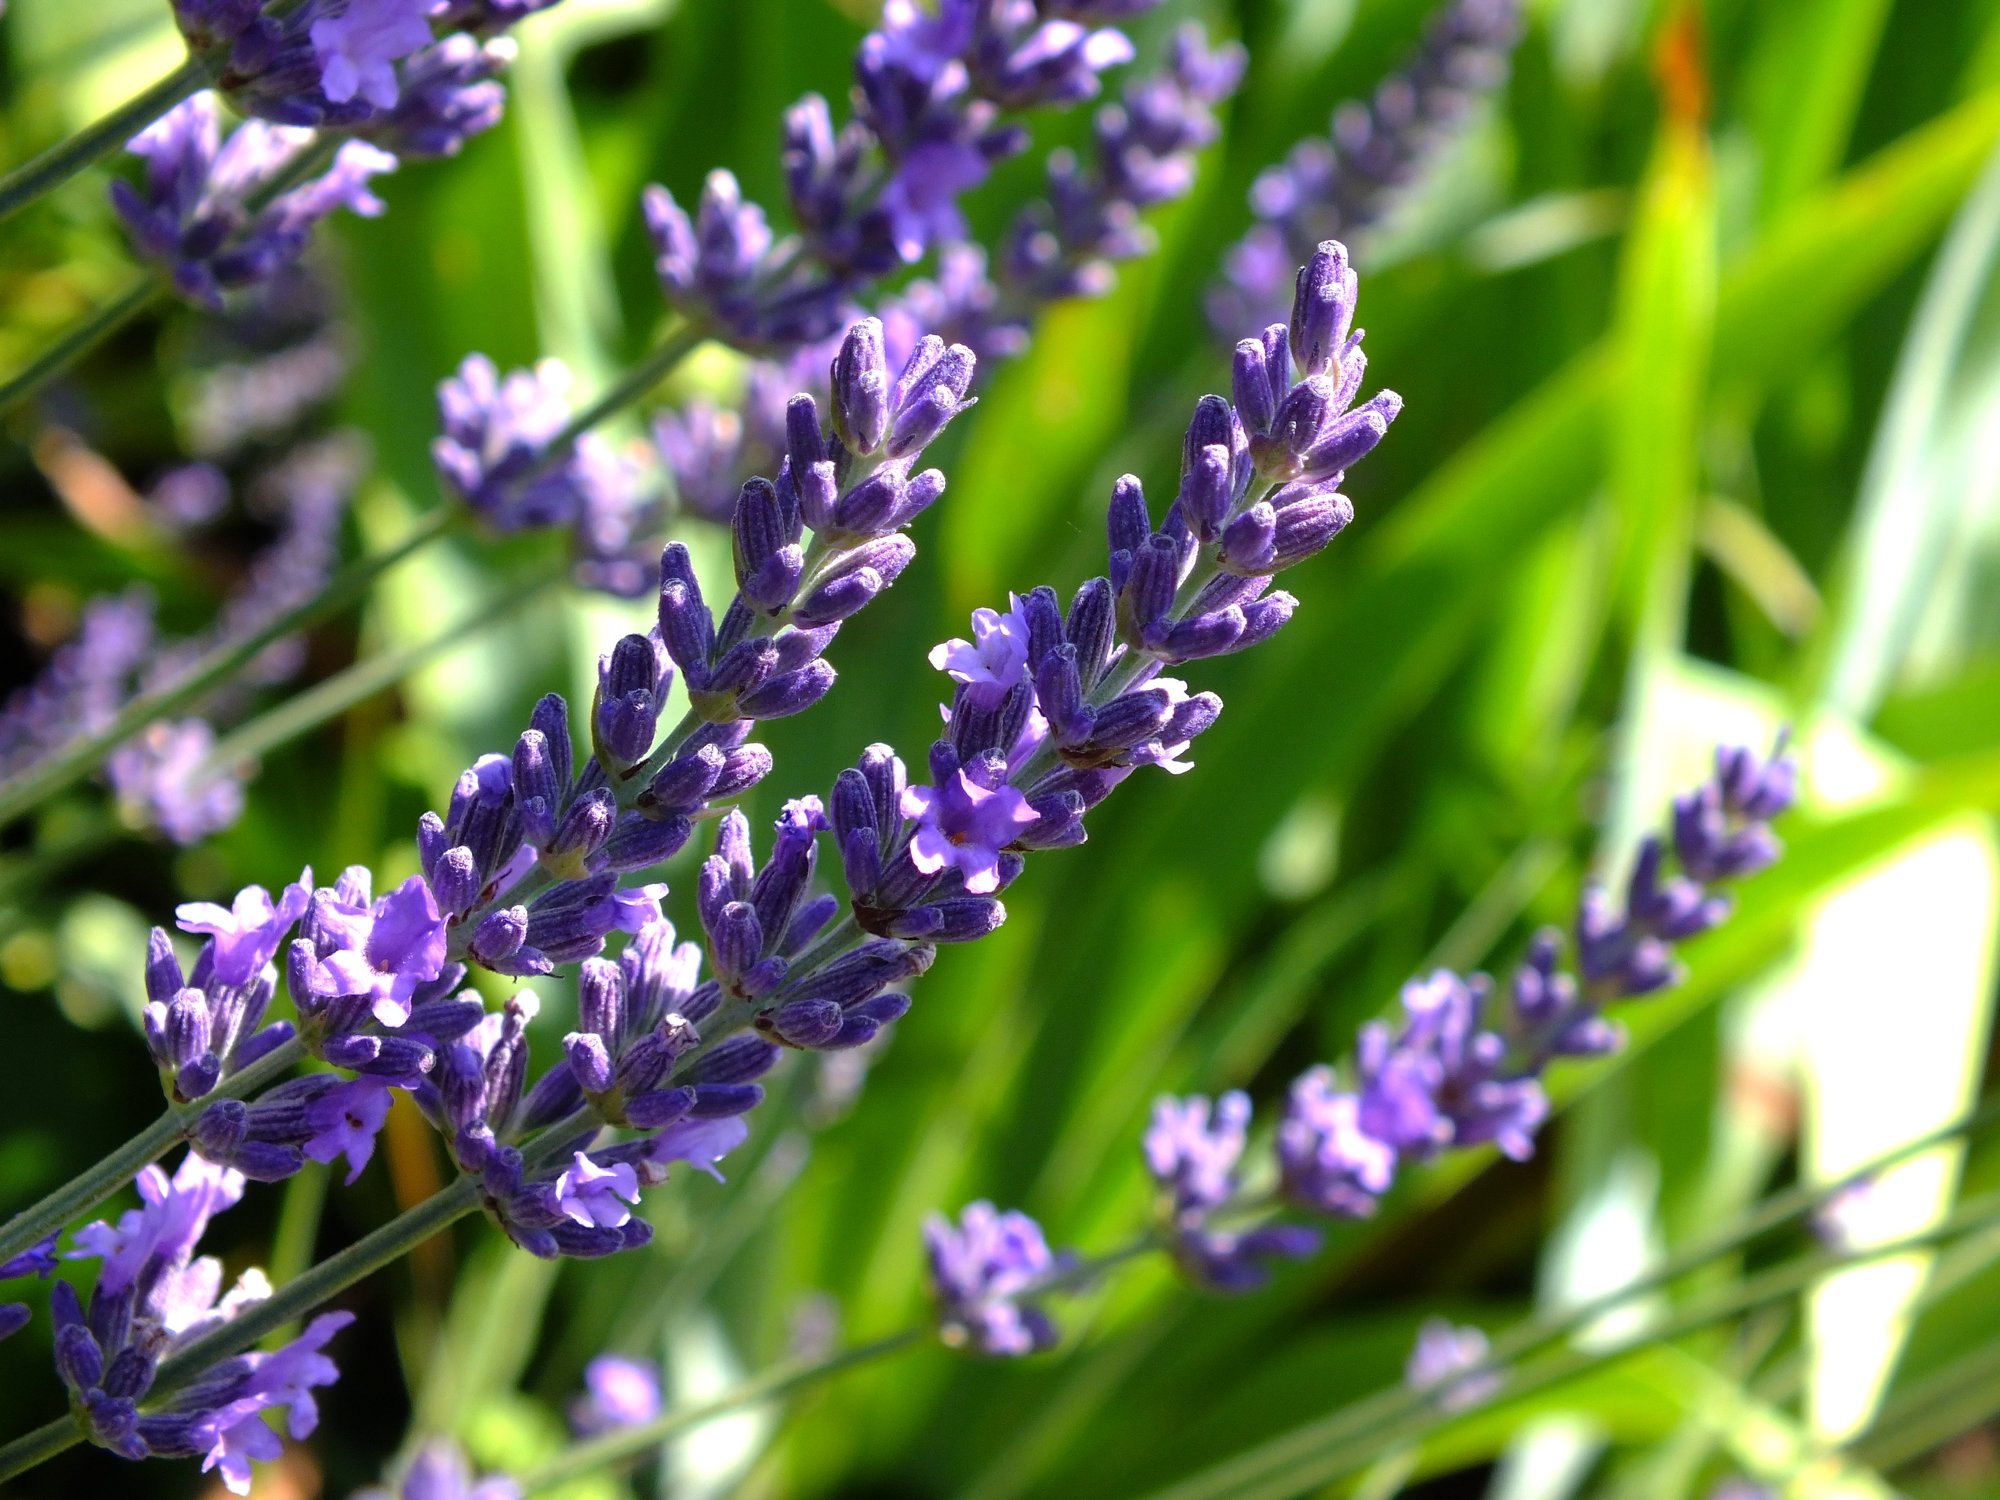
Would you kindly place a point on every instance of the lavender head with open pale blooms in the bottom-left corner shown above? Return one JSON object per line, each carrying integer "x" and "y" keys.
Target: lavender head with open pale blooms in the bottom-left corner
{"x": 153, "y": 1299}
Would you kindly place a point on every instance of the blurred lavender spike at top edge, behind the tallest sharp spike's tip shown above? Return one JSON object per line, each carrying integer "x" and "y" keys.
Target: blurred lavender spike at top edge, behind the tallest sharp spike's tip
{"x": 1345, "y": 183}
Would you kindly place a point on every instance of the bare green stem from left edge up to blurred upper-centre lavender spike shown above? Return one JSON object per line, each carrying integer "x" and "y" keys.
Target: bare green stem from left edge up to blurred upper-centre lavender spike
{"x": 83, "y": 757}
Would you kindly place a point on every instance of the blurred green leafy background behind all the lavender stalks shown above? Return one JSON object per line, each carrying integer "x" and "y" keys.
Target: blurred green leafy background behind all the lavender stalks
{"x": 1699, "y": 333}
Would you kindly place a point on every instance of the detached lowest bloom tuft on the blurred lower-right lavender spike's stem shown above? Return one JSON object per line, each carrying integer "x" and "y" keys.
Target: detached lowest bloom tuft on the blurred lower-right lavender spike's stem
{"x": 983, "y": 1271}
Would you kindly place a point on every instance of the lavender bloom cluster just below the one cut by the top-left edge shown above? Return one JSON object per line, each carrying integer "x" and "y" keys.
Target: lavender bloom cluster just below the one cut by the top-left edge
{"x": 195, "y": 213}
